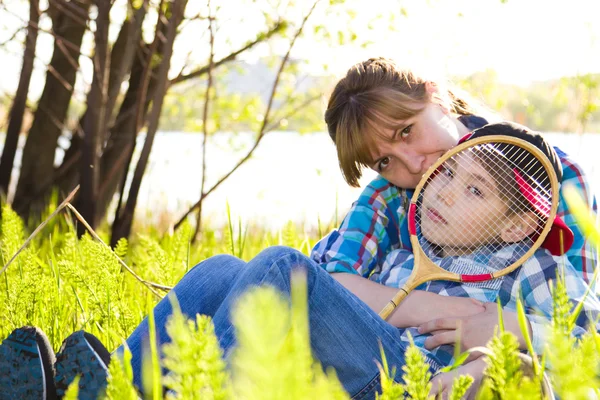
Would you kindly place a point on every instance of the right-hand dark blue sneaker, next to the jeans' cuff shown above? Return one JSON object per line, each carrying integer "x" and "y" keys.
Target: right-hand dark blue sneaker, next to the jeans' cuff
{"x": 82, "y": 354}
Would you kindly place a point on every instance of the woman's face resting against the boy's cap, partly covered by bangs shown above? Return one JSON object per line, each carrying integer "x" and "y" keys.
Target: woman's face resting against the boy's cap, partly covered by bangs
{"x": 416, "y": 145}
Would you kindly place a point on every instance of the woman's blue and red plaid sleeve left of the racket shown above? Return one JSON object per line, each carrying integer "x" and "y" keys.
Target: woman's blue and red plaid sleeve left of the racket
{"x": 369, "y": 231}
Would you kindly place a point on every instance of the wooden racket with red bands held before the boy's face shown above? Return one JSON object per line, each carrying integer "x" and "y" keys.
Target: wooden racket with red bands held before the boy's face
{"x": 489, "y": 192}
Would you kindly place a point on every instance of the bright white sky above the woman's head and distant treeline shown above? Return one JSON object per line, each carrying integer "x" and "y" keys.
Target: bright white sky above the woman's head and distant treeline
{"x": 523, "y": 40}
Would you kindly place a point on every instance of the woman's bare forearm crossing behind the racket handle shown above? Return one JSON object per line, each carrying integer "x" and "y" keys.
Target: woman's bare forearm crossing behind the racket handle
{"x": 417, "y": 308}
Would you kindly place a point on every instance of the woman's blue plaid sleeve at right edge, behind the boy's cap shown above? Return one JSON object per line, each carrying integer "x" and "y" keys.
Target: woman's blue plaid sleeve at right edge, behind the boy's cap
{"x": 583, "y": 256}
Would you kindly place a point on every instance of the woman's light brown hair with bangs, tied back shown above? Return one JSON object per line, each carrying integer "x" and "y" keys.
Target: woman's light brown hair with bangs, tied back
{"x": 376, "y": 93}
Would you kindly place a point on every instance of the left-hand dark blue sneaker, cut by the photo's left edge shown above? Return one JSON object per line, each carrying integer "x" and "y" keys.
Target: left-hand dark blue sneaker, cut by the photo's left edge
{"x": 26, "y": 365}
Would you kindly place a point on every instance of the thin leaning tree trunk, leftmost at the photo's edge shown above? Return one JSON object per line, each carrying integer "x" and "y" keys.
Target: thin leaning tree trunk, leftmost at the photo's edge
{"x": 17, "y": 110}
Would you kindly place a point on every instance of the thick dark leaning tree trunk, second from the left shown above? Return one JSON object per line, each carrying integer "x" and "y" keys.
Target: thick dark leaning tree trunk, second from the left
{"x": 38, "y": 154}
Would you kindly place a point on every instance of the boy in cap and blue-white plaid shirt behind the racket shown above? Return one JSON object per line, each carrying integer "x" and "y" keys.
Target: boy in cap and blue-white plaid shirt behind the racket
{"x": 455, "y": 208}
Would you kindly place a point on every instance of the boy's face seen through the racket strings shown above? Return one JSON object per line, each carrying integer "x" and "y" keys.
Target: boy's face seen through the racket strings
{"x": 461, "y": 207}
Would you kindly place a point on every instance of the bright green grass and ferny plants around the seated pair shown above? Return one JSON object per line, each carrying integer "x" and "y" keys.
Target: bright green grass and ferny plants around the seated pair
{"x": 62, "y": 283}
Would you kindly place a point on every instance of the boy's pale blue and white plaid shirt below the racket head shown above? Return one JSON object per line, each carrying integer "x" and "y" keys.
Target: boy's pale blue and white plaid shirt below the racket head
{"x": 530, "y": 282}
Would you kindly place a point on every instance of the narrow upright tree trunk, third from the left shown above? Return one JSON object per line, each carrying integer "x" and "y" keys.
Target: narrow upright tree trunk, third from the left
{"x": 94, "y": 124}
